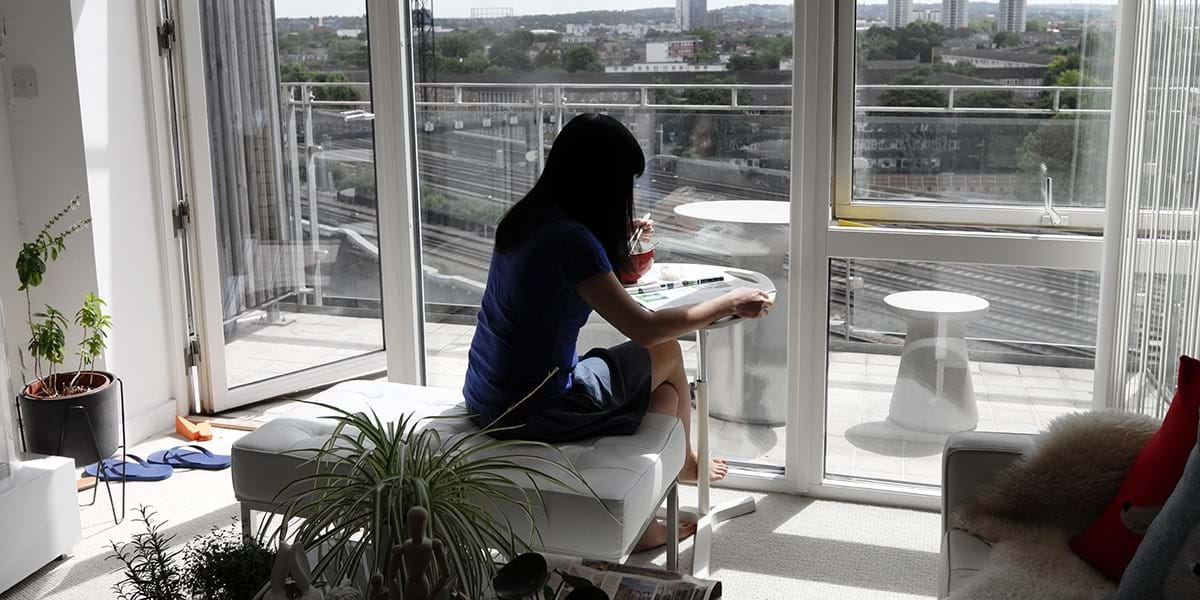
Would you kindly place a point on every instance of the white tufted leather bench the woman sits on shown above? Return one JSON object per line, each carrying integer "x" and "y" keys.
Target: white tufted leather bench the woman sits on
{"x": 632, "y": 475}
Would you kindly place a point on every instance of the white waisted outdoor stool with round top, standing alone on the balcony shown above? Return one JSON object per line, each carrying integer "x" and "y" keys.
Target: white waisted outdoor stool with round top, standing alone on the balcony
{"x": 934, "y": 392}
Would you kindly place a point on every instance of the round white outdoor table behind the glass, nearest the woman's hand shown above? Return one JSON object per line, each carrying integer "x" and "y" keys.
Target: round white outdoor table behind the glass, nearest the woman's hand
{"x": 761, "y": 230}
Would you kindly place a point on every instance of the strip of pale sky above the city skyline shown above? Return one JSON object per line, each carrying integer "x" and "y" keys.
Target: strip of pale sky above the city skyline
{"x": 461, "y": 9}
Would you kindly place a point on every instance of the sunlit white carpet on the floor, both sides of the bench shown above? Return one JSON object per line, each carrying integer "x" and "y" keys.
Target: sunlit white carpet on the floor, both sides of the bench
{"x": 791, "y": 549}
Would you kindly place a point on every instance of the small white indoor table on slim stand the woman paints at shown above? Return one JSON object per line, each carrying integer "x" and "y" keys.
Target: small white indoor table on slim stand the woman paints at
{"x": 705, "y": 514}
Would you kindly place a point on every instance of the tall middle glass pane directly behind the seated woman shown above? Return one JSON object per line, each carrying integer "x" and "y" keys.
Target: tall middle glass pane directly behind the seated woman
{"x": 707, "y": 94}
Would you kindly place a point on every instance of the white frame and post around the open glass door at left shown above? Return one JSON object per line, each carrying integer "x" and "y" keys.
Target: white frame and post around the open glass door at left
{"x": 400, "y": 277}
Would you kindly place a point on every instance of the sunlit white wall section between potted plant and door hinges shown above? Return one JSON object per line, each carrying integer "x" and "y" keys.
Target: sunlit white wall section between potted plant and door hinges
{"x": 117, "y": 142}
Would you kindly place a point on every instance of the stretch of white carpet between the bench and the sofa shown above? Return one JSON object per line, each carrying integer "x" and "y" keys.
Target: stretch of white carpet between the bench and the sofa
{"x": 796, "y": 548}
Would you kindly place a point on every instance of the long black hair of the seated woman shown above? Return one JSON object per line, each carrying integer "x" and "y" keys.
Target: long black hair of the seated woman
{"x": 589, "y": 177}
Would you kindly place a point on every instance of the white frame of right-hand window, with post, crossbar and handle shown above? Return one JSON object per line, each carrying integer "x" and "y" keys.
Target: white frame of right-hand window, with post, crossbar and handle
{"x": 821, "y": 195}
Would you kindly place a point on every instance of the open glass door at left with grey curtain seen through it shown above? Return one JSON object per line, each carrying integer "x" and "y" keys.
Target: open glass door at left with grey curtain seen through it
{"x": 285, "y": 211}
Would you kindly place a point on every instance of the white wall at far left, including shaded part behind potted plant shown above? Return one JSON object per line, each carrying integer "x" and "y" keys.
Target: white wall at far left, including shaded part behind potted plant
{"x": 86, "y": 134}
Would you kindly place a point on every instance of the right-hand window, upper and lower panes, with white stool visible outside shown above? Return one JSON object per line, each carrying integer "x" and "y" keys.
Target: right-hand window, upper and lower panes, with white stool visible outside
{"x": 962, "y": 265}
